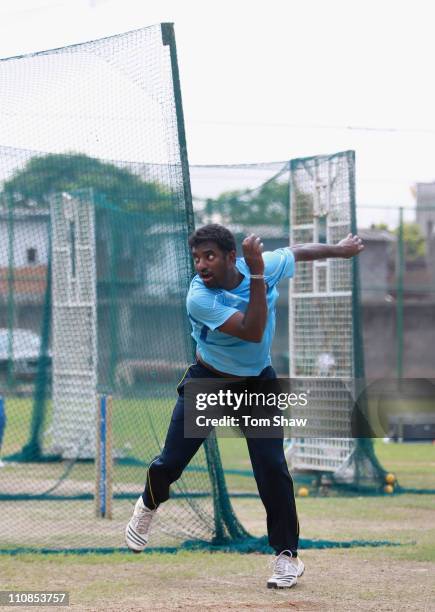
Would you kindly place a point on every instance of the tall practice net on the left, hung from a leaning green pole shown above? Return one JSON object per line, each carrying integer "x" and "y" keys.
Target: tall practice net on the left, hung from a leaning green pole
{"x": 84, "y": 312}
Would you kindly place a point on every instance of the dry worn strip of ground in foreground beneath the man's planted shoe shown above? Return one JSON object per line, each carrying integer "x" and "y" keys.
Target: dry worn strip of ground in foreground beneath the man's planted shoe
{"x": 334, "y": 580}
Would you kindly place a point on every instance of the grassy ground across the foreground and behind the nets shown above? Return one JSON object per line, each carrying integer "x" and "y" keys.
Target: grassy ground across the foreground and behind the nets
{"x": 363, "y": 578}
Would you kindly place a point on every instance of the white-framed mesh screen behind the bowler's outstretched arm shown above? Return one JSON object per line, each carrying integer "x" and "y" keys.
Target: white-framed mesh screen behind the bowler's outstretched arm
{"x": 324, "y": 324}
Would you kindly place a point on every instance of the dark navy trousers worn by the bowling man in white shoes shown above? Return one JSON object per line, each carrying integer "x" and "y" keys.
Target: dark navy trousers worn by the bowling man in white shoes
{"x": 274, "y": 482}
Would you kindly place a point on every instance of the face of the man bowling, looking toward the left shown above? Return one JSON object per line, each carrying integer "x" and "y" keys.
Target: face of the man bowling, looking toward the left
{"x": 212, "y": 264}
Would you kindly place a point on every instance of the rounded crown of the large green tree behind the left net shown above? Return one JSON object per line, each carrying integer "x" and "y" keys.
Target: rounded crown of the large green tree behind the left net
{"x": 32, "y": 186}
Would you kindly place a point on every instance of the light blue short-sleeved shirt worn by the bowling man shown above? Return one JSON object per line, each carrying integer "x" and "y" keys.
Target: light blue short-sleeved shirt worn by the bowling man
{"x": 208, "y": 309}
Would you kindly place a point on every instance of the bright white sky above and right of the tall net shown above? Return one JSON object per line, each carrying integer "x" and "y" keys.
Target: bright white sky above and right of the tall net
{"x": 275, "y": 80}
